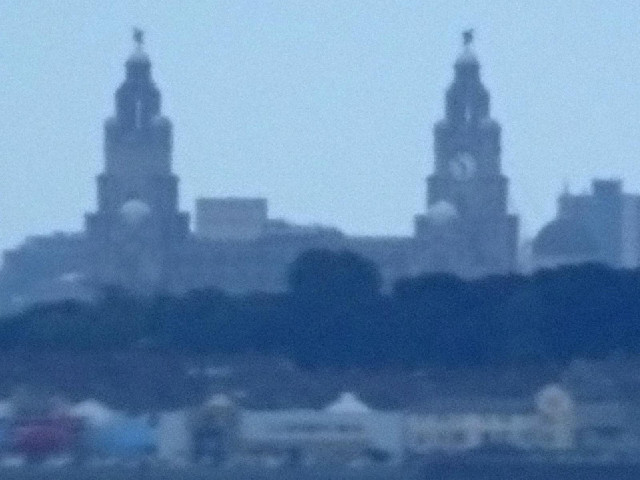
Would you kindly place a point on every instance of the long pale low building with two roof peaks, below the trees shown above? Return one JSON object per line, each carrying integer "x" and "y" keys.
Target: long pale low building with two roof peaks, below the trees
{"x": 345, "y": 432}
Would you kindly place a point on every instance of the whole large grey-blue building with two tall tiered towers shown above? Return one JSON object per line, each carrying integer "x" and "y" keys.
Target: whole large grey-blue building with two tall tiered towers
{"x": 140, "y": 240}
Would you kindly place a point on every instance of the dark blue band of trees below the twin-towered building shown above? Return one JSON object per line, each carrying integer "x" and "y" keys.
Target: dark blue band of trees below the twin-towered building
{"x": 334, "y": 315}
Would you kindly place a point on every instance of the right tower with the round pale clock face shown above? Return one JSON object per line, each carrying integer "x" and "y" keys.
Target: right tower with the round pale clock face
{"x": 468, "y": 179}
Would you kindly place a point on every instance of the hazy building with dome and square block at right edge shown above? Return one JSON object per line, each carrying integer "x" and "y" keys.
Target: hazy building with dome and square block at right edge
{"x": 602, "y": 226}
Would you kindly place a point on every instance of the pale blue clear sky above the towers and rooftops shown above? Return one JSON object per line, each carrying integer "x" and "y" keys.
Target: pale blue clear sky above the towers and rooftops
{"x": 325, "y": 108}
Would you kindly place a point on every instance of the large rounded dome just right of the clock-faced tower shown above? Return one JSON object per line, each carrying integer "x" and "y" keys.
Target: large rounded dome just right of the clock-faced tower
{"x": 565, "y": 236}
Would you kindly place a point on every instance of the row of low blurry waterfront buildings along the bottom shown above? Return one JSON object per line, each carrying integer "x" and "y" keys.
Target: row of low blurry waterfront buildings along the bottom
{"x": 220, "y": 431}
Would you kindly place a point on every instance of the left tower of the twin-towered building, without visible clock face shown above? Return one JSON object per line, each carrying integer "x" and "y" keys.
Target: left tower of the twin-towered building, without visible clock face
{"x": 137, "y": 231}
